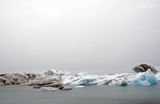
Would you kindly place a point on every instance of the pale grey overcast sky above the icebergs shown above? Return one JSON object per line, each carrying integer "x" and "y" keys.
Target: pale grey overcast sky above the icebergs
{"x": 78, "y": 35}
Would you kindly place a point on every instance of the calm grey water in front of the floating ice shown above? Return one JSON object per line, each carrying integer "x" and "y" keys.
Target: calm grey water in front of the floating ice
{"x": 87, "y": 95}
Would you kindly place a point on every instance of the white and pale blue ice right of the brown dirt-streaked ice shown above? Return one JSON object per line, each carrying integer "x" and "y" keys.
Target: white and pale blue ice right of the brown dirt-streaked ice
{"x": 123, "y": 79}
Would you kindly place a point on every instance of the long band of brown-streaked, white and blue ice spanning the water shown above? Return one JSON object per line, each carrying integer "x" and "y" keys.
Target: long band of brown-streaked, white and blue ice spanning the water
{"x": 60, "y": 79}
